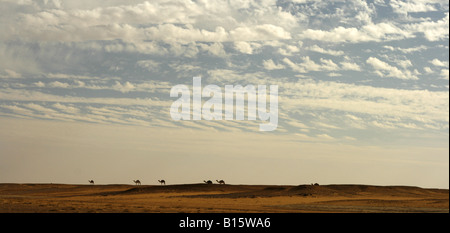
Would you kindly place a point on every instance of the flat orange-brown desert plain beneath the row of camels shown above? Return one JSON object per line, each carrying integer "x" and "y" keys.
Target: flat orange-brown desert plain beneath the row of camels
{"x": 219, "y": 198}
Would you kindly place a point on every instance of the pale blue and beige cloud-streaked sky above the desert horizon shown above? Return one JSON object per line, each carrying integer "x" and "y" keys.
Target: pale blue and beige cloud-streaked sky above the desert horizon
{"x": 363, "y": 91}
